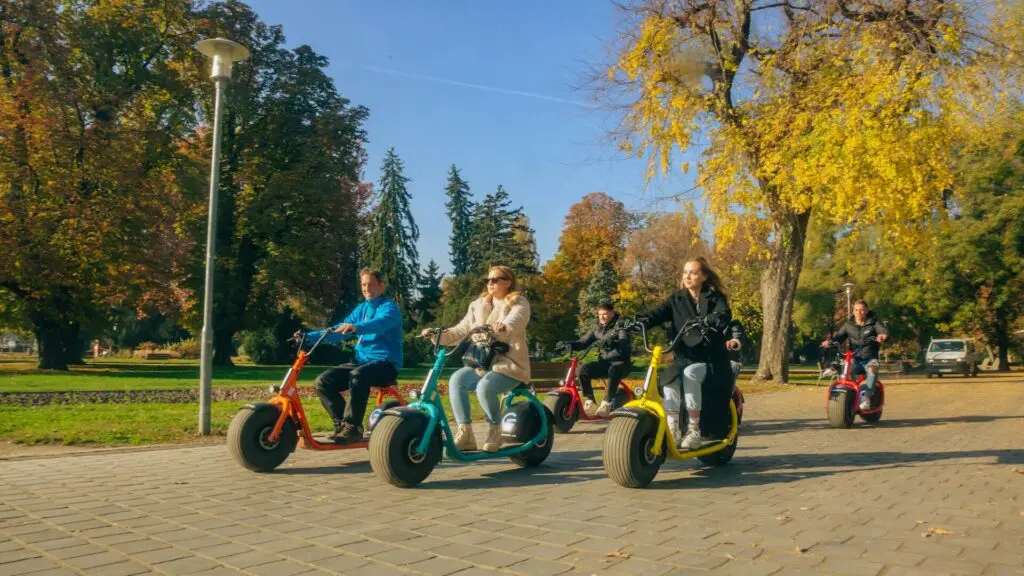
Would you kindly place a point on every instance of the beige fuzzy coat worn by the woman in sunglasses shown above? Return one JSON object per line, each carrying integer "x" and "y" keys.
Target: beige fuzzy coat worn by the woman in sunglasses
{"x": 514, "y": 312}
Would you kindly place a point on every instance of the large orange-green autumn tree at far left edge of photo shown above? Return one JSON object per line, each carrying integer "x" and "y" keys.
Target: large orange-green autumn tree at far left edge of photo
{"x": 91, "y": 107}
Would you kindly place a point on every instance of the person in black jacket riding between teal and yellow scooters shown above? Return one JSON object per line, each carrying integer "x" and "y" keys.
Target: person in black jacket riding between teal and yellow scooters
{"x": 615, "y": 363}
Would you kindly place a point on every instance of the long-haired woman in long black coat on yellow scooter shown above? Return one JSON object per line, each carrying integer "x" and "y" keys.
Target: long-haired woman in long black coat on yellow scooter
{"x": 702, "y": 360}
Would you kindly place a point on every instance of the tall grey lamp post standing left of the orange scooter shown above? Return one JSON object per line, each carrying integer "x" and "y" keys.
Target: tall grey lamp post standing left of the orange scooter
{"x": 224, "y": 54}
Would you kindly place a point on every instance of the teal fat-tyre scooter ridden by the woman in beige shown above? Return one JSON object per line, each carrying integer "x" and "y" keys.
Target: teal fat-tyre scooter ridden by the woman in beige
{"x": 407, "y": 442}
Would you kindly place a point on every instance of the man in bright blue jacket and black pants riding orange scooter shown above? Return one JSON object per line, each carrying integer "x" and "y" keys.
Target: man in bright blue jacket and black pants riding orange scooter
{"x": 377, "y": 324}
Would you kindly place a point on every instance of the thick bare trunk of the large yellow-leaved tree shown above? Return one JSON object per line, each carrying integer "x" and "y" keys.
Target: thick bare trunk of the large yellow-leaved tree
{"x": 779, "y": 289}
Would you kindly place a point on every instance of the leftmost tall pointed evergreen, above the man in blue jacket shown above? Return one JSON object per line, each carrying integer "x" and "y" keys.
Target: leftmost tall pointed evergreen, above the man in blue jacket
{"x": 392, "y": 246}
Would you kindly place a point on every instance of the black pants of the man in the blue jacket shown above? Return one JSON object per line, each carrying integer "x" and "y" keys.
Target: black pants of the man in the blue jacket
{"x": 358, "y": 381}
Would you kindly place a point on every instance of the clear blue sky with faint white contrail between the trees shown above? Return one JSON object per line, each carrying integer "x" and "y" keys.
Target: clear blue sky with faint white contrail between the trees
{"x": 488, "y": 87}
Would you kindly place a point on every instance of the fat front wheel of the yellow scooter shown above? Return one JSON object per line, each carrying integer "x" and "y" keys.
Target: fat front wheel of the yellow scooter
{"x": 627, "y": 452}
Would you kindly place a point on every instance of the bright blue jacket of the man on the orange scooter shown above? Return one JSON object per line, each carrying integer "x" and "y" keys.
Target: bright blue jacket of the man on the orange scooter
{"x": 378, "y": 327}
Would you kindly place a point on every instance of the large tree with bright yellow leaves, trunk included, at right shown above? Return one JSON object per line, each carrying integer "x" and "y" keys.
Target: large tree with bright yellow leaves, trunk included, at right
{"x": 841, "y": 109}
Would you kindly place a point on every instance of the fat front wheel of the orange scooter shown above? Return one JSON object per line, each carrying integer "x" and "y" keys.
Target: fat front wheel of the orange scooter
{"x": 248, "y": 438}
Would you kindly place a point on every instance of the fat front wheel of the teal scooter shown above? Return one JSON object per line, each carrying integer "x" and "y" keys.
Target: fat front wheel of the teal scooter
{"x": 393, "y": 455}
